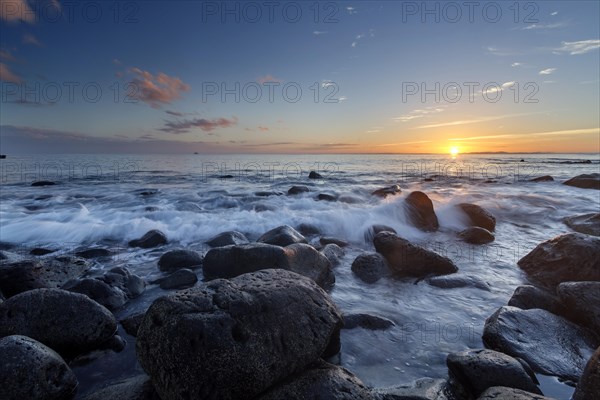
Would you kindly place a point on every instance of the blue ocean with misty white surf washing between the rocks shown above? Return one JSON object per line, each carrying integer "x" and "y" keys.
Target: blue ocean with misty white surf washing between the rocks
{"x": 107, "y": 200}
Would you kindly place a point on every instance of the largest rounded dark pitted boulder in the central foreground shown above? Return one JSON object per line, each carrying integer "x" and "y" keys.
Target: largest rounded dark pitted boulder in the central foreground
{"x": 240, "y": 336}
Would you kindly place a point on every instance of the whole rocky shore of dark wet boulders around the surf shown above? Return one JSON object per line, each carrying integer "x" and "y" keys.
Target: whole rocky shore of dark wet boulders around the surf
{"x": 255, "y": 320}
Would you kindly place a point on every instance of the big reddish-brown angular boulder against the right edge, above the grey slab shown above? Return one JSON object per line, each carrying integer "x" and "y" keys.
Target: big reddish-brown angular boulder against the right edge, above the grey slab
{"x": 569, "y": 257}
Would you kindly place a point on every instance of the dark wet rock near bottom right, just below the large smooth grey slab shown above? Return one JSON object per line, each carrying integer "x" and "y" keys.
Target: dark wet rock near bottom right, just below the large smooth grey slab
{"x": 478, "y": 370}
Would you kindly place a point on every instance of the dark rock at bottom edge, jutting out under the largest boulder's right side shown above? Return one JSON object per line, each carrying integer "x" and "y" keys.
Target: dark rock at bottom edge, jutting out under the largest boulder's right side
{"x": 320, "y": 381}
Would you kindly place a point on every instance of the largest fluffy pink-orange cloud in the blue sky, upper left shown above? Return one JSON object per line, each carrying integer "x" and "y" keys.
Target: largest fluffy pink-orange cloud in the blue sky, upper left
{"x": 156, "y": 90}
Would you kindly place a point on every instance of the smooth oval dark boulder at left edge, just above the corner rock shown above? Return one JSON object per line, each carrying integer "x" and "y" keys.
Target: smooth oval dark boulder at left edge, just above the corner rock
{"x": 69, "y": 323}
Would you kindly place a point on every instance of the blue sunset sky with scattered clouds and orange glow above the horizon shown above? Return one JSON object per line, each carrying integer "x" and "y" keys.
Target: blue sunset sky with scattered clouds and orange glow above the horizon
{"x": 299, "y": 76}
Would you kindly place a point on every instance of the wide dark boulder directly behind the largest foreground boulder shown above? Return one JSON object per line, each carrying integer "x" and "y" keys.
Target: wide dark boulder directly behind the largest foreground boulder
{"x": 231, "y": 261}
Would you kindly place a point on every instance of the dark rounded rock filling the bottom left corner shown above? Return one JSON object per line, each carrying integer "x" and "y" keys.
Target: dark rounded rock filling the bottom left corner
{"x": 30, "y": 370}
